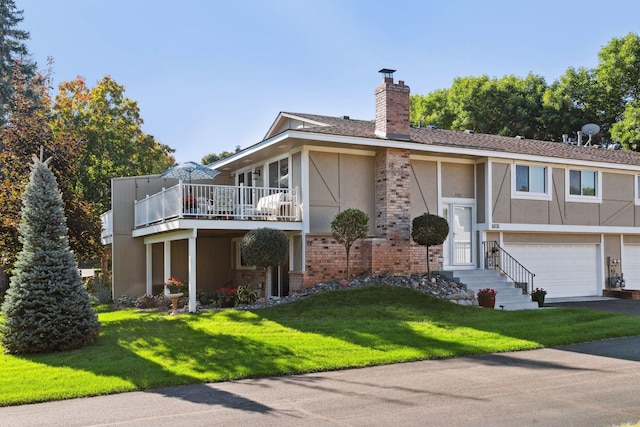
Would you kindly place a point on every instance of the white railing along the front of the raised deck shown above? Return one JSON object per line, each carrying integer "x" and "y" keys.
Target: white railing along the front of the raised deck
{"x": 218, "y": 202}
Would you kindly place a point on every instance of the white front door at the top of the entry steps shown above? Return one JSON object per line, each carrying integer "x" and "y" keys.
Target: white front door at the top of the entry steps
{"x": 458, "y": 248}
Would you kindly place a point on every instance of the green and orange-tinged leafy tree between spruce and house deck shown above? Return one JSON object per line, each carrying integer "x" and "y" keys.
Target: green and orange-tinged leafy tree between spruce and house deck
{"x": 110, "y": 128}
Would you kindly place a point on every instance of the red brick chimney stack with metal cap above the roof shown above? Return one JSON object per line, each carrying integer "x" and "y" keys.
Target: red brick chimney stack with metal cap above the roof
{"x": 392, "y": 108}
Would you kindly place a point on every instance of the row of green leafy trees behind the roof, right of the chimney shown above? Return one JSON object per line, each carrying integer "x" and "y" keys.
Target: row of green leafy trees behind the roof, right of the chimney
{"x": 510, "y": 105}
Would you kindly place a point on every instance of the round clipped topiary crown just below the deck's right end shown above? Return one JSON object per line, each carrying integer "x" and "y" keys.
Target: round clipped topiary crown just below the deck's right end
{"x": 264, "y": 247}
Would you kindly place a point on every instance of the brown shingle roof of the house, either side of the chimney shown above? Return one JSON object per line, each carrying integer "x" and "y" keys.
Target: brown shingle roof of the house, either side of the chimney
{"x": 474, "y": 141}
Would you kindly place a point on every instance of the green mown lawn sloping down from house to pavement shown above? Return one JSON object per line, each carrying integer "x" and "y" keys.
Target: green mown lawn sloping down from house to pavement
{"x": 334, "y": 330}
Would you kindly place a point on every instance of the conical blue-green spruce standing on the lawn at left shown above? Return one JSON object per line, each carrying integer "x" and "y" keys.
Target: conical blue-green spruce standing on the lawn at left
{"x": 46, "y": 308}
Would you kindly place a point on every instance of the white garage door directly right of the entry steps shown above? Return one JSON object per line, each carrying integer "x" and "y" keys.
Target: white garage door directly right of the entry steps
{"x": 562, "y": 270}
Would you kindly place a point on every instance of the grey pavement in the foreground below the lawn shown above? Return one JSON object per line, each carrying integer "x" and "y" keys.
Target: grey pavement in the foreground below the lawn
{"x": 589, "y": 384}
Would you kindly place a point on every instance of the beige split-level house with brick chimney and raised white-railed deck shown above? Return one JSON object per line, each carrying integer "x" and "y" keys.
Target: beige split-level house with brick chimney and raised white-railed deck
{"x": 568, "y": 214}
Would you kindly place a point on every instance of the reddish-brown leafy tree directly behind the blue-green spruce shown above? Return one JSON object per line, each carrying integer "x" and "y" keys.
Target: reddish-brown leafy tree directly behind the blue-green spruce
{"x": 26, "y": 132}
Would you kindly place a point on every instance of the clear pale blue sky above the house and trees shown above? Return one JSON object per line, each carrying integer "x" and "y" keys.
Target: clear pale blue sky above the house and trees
{"x": 211, "y": 75}
